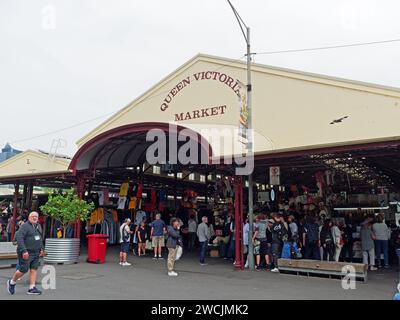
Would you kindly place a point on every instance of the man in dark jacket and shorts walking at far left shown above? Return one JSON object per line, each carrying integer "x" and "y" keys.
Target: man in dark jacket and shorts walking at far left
{"x": 29, "y": 248}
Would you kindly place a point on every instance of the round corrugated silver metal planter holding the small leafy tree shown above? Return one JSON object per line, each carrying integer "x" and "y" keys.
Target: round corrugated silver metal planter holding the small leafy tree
{"x": 62, "y": 250}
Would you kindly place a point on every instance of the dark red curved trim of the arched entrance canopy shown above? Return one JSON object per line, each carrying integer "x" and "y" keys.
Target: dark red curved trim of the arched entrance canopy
{"x": 132, "y": 128}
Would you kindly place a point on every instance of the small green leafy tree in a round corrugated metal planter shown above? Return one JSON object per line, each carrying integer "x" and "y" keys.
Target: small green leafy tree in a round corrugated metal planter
{"x": 65, "y": 208}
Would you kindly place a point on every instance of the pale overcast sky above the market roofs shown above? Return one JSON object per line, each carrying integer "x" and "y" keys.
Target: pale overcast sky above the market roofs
{"x": 63, "y": 62}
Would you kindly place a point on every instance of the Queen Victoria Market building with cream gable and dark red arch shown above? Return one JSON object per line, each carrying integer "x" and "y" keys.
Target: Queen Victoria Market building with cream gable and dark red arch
{"x": 317, "y": 139}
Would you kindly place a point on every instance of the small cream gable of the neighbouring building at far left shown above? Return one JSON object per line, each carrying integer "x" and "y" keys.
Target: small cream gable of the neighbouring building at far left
{"x": 31, "y": 162}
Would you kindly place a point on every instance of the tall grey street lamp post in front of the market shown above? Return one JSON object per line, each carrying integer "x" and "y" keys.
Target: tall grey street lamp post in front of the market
{"x": 249, "y": 133}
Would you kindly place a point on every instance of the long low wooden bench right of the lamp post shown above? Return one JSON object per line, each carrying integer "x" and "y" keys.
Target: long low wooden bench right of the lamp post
{"x": 317, "y": 267}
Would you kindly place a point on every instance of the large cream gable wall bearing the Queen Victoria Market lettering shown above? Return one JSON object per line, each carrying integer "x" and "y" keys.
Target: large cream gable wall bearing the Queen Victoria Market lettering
{"x": 290, "y": 110}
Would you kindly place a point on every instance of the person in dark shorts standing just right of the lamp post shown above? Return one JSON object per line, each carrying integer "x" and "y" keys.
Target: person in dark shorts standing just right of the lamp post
{"x": 264, "y": 236}
